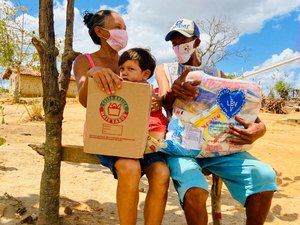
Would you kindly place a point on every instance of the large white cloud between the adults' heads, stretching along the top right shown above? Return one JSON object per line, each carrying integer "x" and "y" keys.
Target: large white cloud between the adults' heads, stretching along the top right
{"x": 149, "y": 20}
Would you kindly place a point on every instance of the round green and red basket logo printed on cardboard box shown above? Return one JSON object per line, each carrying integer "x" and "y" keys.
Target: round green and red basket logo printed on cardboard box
{"x": 114, "y": 109}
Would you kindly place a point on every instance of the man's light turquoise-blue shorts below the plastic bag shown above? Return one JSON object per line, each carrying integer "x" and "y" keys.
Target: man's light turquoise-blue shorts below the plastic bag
{"x": 243, "y": 174}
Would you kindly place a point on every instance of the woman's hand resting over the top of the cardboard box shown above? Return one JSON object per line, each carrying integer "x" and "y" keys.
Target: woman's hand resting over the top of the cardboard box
{"x": 106, "y": 79}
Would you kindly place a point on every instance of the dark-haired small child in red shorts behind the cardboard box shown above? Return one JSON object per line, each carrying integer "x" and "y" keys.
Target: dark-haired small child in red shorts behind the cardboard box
{"x": 137, "y": 65}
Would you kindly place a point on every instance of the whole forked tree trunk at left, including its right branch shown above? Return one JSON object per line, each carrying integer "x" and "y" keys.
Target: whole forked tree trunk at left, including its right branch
{"x": 54, "y": 100}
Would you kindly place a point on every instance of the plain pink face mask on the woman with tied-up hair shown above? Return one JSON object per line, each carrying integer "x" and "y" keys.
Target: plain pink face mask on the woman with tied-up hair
{"x": 117, "y": 39}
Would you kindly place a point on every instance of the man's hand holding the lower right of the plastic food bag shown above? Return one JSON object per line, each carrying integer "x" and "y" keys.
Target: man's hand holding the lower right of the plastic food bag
{"x": 252, "y": 131}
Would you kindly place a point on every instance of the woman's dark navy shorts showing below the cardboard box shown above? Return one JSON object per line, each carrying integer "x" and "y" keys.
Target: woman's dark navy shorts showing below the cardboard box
{"x": 109, "y": 161}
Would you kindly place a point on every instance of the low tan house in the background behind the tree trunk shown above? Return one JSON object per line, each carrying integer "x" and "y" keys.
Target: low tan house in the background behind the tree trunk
{"x": 30, "y": 83}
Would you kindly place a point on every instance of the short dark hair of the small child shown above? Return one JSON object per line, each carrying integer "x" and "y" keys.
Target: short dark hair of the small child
{"x": 145, "y": 59}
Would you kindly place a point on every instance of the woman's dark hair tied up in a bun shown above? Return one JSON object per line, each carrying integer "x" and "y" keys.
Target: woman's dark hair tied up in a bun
{"x": 96, "y": 19}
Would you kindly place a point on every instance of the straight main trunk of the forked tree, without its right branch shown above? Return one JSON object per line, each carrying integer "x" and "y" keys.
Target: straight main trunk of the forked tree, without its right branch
{"x": 50, "y": 182}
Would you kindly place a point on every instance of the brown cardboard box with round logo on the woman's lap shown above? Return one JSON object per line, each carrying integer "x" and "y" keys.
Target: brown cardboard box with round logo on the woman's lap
{"x": 117, "y": 125}
